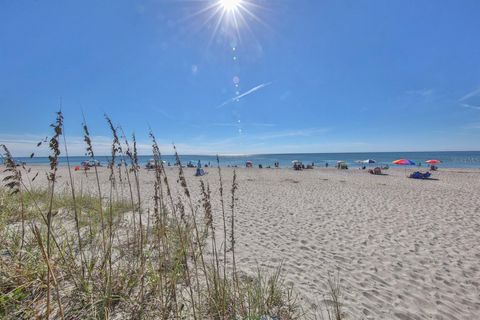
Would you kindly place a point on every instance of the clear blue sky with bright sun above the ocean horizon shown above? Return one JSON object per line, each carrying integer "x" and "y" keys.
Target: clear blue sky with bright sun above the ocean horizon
{"x": 313, "y": 76}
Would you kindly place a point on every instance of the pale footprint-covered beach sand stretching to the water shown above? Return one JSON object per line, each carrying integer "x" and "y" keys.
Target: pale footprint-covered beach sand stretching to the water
{"x": 402, "y": 248}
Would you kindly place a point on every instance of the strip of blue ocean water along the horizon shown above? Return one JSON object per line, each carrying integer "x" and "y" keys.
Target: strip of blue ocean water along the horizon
{"x": 450, "y": 159}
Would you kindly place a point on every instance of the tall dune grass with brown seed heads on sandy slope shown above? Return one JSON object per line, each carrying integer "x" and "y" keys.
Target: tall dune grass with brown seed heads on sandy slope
{"x": 72, "y": 255}
